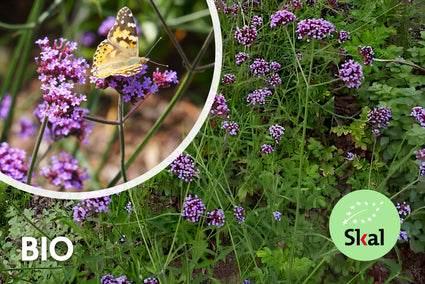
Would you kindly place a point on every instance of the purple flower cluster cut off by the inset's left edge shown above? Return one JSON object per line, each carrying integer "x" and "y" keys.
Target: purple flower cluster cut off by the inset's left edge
{"x": 13, "y": 162}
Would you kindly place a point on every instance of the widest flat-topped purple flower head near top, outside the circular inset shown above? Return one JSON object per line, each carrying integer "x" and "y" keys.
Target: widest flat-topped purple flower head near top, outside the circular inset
{"x": 314, "y": 28}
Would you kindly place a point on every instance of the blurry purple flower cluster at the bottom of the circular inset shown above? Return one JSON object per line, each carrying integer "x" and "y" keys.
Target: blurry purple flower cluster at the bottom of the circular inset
{"x": 64, "y": 172}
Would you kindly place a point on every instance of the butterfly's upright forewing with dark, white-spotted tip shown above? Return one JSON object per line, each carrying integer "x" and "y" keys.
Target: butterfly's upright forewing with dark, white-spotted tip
{"x": 124, "y": 33}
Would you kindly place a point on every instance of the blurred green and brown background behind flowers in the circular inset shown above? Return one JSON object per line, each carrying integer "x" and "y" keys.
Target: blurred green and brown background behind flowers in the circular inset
{"x": 79, "y": 21}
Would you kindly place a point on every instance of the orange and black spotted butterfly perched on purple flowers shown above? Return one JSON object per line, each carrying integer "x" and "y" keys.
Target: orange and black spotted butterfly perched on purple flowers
{"x": 119, "y": 53}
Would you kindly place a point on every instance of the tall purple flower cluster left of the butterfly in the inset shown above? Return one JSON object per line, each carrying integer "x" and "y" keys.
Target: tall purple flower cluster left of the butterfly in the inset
{"x": 59, "y": 70}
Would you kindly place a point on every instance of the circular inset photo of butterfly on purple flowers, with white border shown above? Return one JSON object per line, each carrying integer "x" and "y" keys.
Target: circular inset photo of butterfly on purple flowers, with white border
{"x": 108, "y": 102}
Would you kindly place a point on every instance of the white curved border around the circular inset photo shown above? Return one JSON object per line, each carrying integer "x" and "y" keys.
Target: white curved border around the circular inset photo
{"x": 162, "y": 165}
